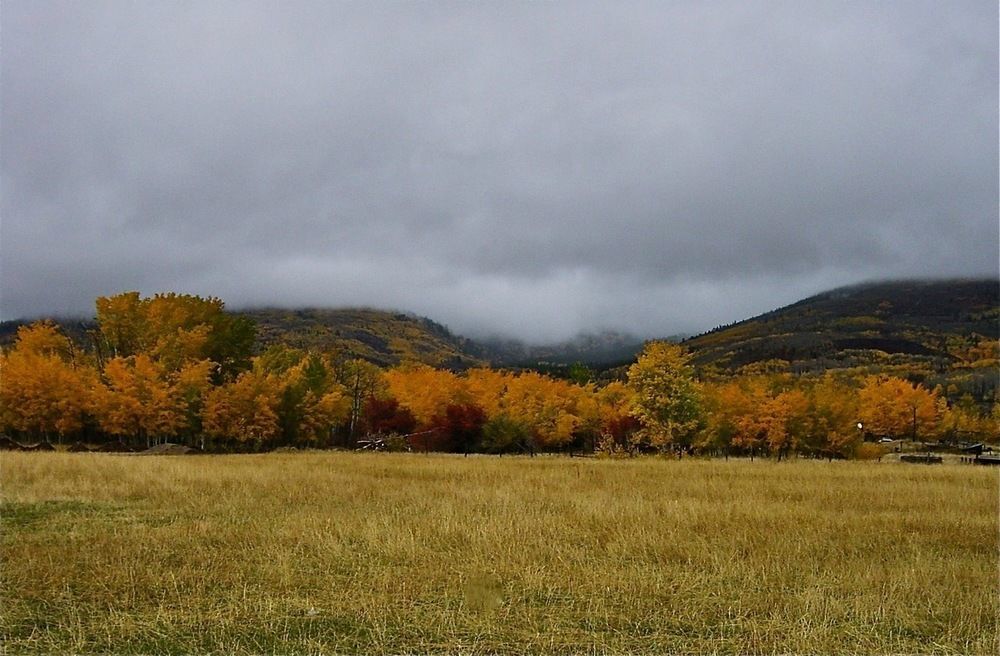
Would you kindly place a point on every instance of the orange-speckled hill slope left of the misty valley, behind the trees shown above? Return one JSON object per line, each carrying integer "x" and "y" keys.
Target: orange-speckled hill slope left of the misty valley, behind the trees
{"x": 385, "y": 338}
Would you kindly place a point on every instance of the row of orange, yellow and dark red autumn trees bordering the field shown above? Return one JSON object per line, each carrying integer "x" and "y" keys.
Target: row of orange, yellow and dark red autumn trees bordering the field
{"x": 178, "y": 368}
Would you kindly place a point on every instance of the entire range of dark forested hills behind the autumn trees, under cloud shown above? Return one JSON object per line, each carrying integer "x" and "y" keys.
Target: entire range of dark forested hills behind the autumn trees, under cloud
{"x": 923, "y": 322}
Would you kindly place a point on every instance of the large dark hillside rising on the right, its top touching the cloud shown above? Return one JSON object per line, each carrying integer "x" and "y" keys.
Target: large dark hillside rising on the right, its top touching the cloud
{"x": 928, "y": 323}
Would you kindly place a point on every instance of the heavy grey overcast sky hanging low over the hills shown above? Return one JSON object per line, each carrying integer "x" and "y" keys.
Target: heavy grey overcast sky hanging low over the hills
{"x": 529, "y": 169}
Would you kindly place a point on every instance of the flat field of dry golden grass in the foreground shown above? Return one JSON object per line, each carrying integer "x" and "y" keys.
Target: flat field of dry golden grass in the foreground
{"x": 378, "y": 553}
